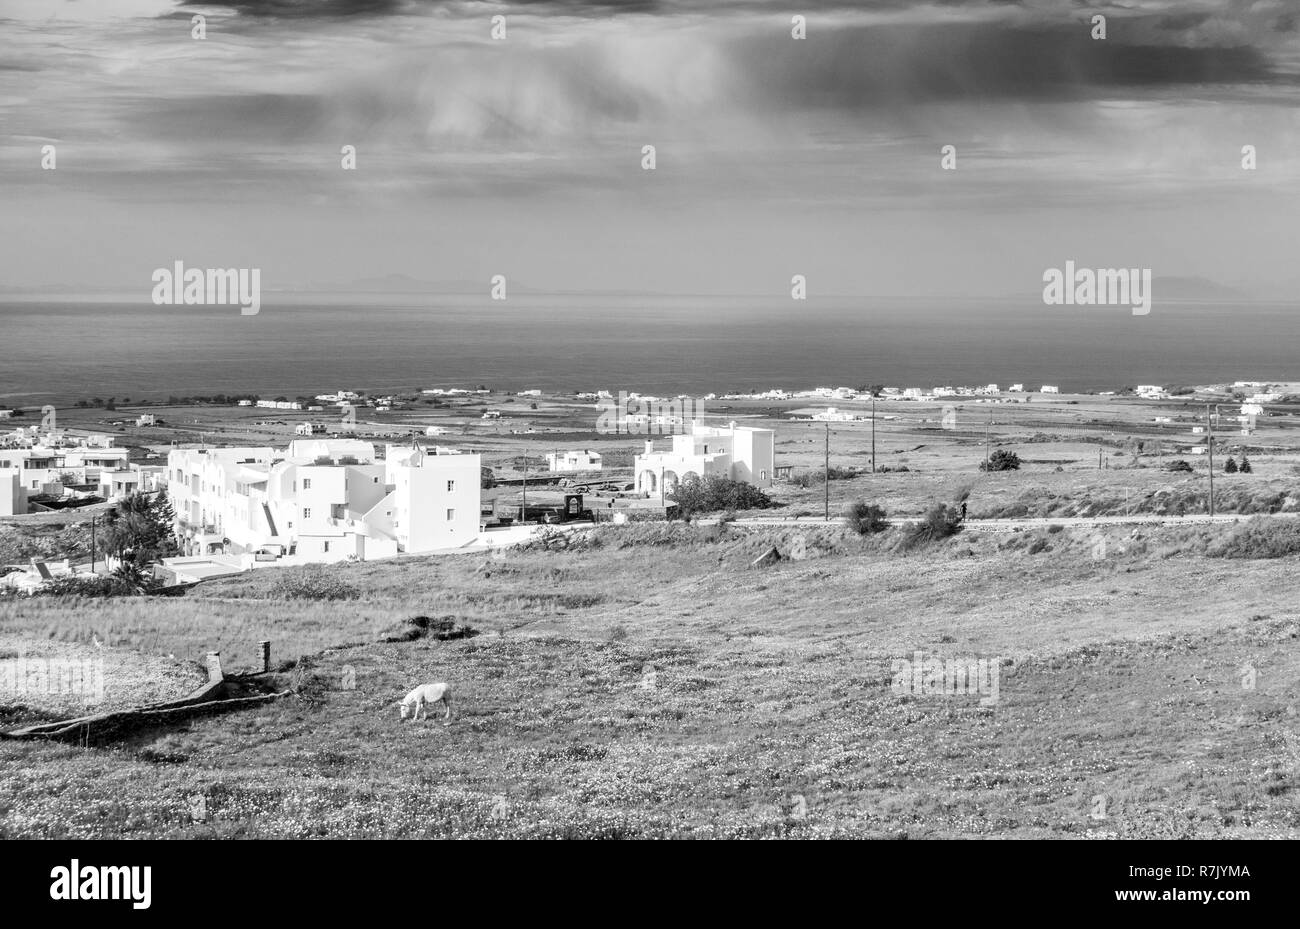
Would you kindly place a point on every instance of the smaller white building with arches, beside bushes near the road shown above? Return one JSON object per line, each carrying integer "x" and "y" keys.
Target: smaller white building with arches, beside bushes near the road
{"x": 738, "y": 453}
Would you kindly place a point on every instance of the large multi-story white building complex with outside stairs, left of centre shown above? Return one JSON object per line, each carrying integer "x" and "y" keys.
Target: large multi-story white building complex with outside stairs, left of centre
{"x": 323, "y": 501}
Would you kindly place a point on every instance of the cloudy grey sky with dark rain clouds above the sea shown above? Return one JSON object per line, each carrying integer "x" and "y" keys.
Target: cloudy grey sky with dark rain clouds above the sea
{"x": 775, "y": 157}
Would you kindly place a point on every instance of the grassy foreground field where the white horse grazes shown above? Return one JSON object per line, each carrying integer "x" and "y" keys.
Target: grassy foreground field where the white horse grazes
{"x": 648, "y": 683}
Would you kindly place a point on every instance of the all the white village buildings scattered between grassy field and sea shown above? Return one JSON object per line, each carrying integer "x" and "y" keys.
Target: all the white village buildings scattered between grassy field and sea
{"x": 331, "y": 496}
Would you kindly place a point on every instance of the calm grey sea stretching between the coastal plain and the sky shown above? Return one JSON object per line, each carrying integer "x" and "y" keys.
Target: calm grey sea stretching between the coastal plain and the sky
{"x": 67, "y": 351}
